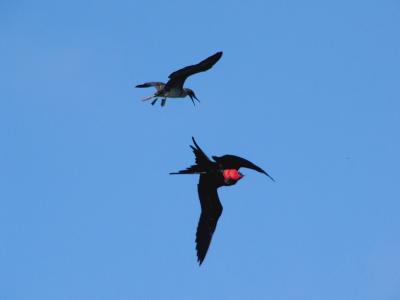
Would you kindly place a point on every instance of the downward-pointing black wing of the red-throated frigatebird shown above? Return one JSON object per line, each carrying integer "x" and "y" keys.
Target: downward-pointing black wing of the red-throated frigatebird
{"x": 211, "y": 210}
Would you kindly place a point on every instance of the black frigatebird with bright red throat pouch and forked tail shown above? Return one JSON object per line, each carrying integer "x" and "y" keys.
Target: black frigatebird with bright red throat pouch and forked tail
{"x": 223, "y": 171}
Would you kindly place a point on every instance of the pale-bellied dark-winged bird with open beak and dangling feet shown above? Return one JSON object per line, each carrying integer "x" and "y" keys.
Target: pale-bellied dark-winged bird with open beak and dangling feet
{"x": 174, "y": 87}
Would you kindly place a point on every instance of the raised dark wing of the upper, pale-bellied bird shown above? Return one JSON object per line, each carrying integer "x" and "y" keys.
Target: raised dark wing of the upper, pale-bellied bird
{"x": 178, "y": 78}
